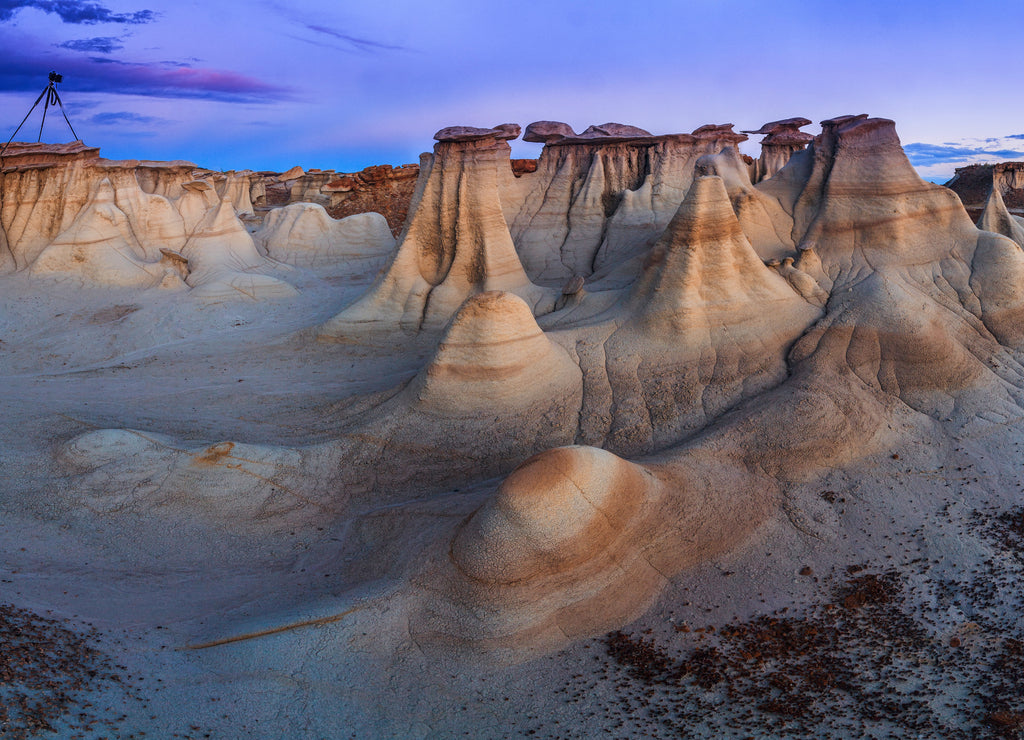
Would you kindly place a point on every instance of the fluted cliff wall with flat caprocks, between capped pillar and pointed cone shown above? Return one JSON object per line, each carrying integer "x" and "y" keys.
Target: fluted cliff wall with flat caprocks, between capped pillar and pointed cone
{"x": 601, "y": 197}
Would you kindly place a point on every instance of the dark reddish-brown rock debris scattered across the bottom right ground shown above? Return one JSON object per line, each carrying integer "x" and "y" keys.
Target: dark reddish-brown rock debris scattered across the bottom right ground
{"x": 860, "y": 666}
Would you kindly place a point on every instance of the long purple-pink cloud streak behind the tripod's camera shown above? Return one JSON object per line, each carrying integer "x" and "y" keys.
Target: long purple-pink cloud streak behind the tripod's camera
{"x": 24, "y": 72}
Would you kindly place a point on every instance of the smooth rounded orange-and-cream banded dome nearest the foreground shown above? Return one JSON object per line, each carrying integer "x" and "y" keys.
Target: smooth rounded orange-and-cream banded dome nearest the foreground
{"x": 557, "y": 511}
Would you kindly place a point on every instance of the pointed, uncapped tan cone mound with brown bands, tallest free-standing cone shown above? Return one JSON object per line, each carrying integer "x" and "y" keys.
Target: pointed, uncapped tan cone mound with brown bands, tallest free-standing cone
{"x": 705, "y": 326}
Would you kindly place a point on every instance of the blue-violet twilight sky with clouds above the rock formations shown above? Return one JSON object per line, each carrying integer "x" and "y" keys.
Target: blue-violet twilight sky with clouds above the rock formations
{"x": 268, "y": 84}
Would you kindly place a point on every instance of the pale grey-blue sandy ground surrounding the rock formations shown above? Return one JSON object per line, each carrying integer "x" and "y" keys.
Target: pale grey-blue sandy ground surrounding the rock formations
{"x": 324, "y": 651}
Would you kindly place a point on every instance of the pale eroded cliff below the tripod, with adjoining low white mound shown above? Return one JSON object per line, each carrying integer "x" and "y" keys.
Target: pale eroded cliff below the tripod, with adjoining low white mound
{"x": 70, "y": 215}
